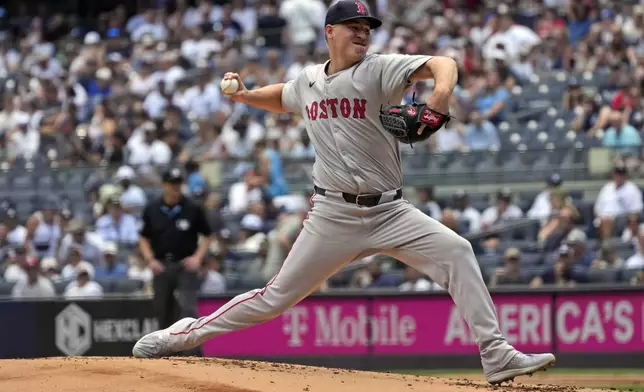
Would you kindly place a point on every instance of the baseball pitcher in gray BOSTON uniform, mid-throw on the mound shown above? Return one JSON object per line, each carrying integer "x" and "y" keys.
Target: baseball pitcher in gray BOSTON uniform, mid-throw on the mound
{"x": 351, "y": 107}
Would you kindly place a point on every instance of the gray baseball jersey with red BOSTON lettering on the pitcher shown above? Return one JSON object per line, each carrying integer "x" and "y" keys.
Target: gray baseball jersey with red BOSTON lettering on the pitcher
{"x": 354, "y": 153}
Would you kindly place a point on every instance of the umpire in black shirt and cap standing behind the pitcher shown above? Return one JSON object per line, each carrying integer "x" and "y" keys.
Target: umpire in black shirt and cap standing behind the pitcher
{"x": 171, "y": 228}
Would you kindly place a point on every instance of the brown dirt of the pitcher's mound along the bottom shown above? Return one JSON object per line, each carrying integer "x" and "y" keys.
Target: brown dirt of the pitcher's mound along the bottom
{"x": 98, "y": 374}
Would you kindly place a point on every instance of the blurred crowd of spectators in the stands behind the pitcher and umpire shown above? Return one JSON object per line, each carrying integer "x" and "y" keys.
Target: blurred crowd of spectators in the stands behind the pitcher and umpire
{"x": 96, "y": 103}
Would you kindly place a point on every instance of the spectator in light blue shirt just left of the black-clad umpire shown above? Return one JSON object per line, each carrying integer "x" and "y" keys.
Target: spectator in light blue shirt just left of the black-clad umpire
{"x": 117, "y": 226}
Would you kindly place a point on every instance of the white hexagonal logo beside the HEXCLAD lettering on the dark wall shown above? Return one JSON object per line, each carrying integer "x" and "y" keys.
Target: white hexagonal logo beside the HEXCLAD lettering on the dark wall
{"x": 73, "y": 330}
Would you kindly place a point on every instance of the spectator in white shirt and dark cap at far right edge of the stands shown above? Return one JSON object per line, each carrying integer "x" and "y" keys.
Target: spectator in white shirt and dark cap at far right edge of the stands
{"x": 618, "y": 197}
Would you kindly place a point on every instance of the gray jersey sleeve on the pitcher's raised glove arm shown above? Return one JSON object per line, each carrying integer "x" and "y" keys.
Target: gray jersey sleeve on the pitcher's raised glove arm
{"x": 396, "y": 70}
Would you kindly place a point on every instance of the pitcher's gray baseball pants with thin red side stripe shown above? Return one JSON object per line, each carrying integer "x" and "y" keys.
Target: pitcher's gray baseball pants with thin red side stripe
{"x": 337, "y": 233}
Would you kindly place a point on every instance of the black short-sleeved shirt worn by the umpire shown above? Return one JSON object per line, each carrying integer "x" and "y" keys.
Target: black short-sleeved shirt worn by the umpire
{"x": 174, "y": 231}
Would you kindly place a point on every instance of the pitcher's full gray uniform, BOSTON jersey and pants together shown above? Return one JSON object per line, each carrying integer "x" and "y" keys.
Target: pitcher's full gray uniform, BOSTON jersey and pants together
{"x": 355, "y": 155}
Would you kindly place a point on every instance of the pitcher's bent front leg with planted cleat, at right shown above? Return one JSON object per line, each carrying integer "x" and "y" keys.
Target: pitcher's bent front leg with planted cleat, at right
{"x": 407, "y": 234}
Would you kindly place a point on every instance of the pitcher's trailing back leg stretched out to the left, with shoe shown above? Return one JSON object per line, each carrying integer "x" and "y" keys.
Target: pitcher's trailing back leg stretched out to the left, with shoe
{"x": 328, "y": 241}
